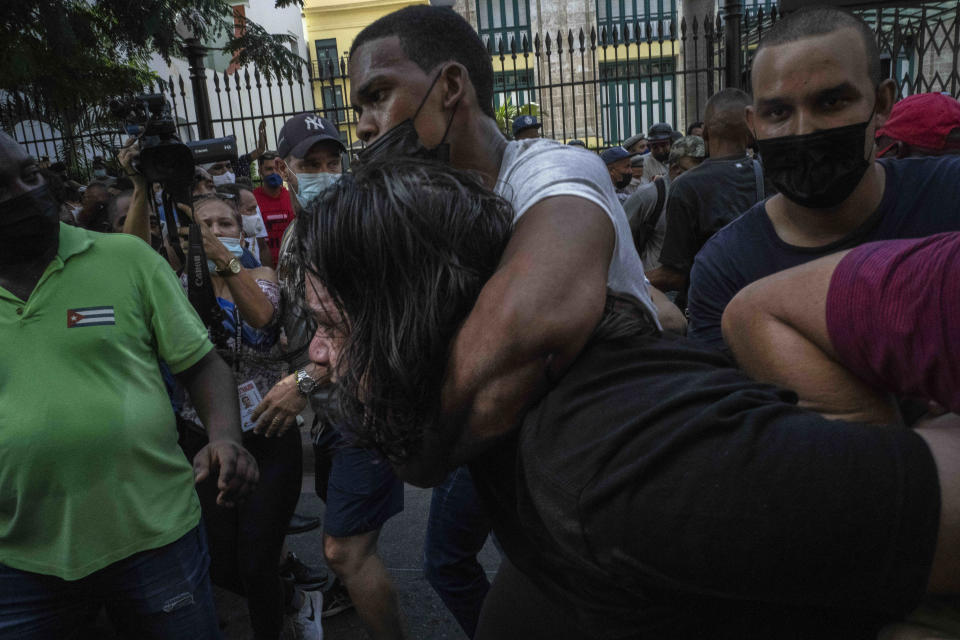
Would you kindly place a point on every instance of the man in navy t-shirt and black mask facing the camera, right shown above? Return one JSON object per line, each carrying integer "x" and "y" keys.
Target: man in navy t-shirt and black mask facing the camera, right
{"x": 817, "y": 100}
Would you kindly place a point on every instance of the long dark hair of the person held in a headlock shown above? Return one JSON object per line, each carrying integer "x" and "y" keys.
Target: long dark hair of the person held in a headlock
{"x": 403, "y": 250}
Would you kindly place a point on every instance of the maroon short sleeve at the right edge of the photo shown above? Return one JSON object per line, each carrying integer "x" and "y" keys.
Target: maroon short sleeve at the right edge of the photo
{"x": 892, "y": 311}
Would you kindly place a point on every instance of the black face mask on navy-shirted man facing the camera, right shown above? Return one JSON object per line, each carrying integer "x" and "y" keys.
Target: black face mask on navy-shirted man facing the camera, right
{"x": 817, "y": 170}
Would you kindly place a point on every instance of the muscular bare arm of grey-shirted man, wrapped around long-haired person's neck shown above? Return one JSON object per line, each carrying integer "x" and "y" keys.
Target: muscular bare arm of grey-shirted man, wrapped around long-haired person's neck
{"x": 530, "y": 322}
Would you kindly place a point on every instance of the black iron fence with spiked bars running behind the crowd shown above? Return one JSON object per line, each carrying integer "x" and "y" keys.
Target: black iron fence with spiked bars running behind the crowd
{"x": 600, "y": 85}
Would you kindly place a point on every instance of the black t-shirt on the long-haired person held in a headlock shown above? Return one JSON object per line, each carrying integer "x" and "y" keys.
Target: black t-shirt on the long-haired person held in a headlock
{"x": 658, "y": 492}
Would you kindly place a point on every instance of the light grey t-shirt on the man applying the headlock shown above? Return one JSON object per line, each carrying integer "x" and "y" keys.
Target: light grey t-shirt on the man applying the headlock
{"x": 535, "y": 169}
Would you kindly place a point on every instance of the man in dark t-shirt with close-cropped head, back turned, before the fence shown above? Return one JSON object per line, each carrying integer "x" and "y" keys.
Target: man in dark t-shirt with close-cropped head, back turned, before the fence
{"x": 720, "y": 189}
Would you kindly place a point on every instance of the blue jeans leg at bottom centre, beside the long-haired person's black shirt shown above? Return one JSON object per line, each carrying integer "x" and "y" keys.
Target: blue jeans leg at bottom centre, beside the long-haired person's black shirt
{"x": 456, "y": 532}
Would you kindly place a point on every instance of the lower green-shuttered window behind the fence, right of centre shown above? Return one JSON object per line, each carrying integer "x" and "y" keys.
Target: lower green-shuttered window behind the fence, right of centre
{"x": 635, "y": 95}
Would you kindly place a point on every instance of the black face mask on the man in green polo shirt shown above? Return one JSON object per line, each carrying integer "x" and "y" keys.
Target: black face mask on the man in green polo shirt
{"x": 29, "y": 226}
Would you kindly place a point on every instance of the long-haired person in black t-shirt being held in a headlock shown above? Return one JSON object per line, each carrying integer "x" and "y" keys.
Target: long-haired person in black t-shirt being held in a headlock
{"x": 653, "y": 490}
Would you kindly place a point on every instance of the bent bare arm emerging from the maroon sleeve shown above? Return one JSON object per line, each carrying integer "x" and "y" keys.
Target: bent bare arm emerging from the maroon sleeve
{"x": 777, "y": 330}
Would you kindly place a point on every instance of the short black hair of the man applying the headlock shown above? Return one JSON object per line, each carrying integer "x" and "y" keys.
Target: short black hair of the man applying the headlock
{"x": 433, "y": 35}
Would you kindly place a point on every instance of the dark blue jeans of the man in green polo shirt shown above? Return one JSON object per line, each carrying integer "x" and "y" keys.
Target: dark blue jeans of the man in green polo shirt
{"x": 160, "y": 594}
